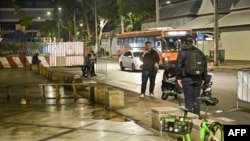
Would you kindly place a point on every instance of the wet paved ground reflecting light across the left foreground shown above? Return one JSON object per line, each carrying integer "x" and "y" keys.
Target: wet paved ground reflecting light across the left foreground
{"x": 83, "y": 120}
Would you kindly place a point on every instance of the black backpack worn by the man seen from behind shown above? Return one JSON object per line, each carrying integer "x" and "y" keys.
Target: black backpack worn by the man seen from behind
{"x": 195, "y": 62}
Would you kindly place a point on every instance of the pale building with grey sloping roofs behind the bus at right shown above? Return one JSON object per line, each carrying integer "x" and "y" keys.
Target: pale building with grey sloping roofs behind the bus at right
{"x": 233, "y": 23}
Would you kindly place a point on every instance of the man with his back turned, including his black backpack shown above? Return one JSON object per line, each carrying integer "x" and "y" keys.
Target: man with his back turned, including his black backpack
{"x": 189, "y": 77}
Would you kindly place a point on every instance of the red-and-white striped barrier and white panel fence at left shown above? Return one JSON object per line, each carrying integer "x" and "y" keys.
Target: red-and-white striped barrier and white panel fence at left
{"x": 53, "y": 54}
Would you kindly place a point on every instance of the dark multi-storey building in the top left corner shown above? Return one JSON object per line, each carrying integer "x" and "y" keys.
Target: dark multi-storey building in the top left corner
{"x": 11, "y": 13}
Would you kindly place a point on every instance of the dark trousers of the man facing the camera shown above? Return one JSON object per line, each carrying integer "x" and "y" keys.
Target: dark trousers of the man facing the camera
{"x": 151, "y": 75}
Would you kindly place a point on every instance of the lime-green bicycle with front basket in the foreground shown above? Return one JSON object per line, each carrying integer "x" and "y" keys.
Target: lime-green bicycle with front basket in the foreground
{"x": 183, "y": 124}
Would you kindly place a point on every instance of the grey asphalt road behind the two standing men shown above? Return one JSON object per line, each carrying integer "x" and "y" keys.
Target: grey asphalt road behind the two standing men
{"x": 224, "y": 88}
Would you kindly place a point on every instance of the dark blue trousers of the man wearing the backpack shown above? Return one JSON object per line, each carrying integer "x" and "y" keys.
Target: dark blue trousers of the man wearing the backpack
{"x": 192, "y": 91}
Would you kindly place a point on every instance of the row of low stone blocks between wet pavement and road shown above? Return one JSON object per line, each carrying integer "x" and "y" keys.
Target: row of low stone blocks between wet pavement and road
{"x": 108, "y": 96}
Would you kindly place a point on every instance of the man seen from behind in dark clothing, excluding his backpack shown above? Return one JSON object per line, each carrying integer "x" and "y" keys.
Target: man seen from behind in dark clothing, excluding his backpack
{"x": 191, "y": 84}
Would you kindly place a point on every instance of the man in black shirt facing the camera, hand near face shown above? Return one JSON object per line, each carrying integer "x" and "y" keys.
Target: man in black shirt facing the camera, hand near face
{"x": 150, "y": 68}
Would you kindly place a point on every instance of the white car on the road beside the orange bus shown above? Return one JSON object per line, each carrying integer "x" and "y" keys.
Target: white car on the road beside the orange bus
{"x": 131, "y": 59}
